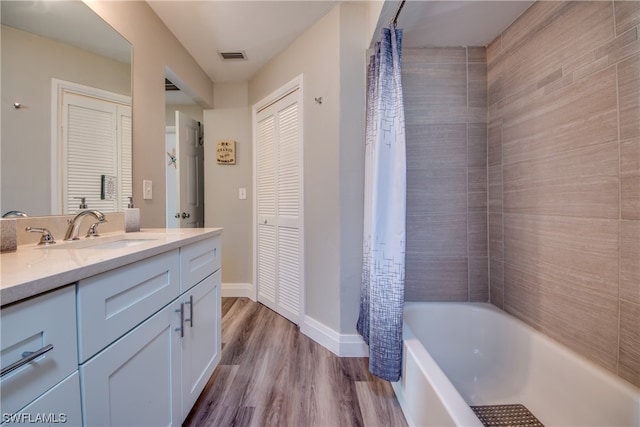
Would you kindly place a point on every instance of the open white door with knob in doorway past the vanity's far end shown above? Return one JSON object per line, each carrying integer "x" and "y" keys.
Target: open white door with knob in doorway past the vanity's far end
{"x": 185, "y": 175}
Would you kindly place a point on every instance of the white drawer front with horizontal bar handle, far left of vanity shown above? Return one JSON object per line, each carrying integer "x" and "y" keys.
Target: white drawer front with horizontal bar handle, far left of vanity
{"x": 29, "y": 326}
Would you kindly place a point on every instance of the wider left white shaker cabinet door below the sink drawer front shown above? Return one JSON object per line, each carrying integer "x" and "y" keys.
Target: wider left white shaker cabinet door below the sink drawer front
{"x": 136, "y": 380}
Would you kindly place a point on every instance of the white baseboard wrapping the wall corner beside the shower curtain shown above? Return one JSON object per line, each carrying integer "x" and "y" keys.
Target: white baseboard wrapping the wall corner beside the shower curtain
{"x": 343, "y": 345}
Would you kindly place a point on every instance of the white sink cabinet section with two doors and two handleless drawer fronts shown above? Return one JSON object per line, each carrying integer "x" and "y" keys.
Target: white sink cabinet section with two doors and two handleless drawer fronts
{"x": 149, "y": 369}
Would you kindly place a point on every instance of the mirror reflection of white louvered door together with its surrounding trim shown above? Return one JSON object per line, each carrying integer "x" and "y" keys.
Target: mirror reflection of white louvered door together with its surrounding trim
{"x": 93, "y": 149}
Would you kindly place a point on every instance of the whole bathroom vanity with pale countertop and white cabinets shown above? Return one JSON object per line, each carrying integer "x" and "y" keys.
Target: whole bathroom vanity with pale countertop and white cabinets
{"x": 118, "y": 330}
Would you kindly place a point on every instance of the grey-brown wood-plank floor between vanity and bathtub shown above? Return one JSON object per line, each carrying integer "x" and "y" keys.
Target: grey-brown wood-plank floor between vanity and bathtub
{"x": 270, "y": 374}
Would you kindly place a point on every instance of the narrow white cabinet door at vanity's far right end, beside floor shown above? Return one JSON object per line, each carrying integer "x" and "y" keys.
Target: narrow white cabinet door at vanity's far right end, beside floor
{"x": 201, "y": 344}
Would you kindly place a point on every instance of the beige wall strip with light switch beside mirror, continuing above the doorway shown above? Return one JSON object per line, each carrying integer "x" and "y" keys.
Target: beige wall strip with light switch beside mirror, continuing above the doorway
{"x": 155, "y": 48}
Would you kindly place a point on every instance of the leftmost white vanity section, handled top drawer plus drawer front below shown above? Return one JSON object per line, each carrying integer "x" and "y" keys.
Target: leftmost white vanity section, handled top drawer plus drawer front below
{"x": 47, "y": 387}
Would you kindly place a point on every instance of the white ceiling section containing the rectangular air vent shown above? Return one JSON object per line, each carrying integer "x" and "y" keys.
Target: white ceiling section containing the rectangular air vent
{"x": 261, "y": 29}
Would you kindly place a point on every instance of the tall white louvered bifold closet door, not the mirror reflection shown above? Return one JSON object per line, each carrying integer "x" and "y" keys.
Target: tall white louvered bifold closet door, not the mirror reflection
{"x": 279, "y": 207}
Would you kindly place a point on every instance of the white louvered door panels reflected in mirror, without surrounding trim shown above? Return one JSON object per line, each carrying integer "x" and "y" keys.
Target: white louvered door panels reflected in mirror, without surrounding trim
{"x": 97, "y": 132}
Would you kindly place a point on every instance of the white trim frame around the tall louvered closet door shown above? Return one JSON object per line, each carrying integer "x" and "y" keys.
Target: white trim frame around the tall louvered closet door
{"x": 295, "y": 84}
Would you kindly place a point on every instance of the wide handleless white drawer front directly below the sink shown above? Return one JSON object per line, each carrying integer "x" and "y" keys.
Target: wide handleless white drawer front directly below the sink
{"x": 112, "y": 303}
